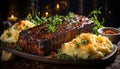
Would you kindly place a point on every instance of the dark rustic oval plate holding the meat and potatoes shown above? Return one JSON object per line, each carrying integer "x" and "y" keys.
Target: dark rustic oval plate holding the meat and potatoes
{"x": 49, "y": 59}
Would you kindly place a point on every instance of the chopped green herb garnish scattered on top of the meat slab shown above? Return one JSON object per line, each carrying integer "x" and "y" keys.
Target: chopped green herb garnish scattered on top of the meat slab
{"x": 52, "y": 21}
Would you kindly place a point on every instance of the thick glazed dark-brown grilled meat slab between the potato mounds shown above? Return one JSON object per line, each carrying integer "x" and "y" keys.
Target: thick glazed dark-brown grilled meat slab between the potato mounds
{"x": 38, "y": 40}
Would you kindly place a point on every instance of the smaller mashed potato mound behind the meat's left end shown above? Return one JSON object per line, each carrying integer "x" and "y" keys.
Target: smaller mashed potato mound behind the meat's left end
{"x": 11, "y": 34}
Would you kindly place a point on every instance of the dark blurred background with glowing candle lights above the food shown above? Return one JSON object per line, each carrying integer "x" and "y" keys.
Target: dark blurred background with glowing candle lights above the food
{"x": 22, "y": 8}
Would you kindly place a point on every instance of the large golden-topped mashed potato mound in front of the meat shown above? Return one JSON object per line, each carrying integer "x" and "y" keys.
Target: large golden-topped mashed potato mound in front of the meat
{"x": 87, "y": 46}
